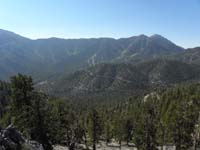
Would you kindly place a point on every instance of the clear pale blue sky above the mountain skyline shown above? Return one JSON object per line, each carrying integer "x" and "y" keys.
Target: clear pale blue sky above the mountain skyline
{"x": 178, "y": 20}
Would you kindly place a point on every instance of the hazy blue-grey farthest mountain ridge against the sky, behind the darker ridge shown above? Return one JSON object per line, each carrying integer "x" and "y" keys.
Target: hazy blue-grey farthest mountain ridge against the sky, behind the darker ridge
{"x": 46, "y": 57}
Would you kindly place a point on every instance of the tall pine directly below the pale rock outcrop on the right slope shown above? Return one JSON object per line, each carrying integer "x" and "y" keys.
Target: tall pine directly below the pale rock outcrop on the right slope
{"x": 146, "y": 126}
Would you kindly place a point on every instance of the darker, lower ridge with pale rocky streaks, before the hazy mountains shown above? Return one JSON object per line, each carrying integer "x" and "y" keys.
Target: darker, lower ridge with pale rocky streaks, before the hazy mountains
{"x": 125, "y": 78}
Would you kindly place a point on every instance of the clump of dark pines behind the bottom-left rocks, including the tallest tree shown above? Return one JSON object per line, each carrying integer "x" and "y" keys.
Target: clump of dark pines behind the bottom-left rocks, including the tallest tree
{"x": 29, "y": 110}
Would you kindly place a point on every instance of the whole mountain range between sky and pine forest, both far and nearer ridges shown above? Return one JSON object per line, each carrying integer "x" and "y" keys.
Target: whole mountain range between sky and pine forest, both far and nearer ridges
{"x": 98, "y": 64}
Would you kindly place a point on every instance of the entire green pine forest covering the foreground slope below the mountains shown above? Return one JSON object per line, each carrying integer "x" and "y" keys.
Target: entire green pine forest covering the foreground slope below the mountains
{"x": 164, "y": 117}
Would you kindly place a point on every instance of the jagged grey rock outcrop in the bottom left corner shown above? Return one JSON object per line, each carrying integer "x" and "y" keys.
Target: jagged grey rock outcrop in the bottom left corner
{"x": 12, "y": 139}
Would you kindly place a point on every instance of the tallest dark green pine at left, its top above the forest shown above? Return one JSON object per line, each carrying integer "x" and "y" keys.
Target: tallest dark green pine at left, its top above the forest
{"x": 21, "y": 94}
